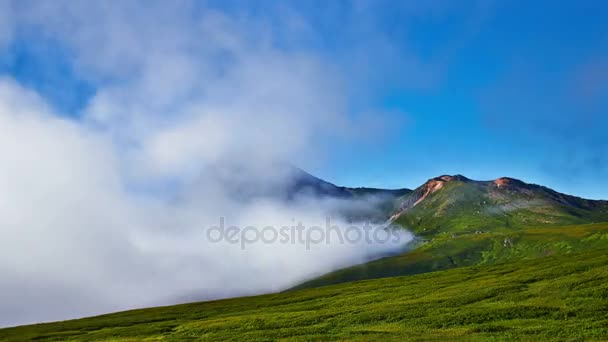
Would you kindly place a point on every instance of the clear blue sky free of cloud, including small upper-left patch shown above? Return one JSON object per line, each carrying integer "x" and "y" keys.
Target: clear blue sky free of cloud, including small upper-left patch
{"x": 485, "y": 89}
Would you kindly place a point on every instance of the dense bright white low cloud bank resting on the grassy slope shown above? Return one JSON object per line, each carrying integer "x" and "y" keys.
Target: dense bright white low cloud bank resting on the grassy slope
{"x": 74, "y": 242}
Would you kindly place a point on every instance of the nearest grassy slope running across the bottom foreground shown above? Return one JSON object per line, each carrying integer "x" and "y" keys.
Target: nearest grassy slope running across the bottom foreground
{"x": 555, "y": 297}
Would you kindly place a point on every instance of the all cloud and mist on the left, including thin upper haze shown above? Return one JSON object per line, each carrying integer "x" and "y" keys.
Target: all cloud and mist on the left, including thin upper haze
{"x": 109, "y": 208}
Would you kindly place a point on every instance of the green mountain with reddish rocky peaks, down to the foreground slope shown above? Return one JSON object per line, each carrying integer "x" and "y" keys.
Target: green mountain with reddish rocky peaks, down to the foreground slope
{"x": 462, "y": 222}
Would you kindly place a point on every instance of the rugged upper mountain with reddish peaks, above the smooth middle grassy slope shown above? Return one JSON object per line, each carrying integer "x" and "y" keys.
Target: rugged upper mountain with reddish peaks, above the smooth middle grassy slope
{"x": 457, "y": 204}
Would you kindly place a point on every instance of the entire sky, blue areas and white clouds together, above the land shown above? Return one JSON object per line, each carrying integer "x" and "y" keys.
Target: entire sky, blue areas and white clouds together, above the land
{"x": 124, "y": 126}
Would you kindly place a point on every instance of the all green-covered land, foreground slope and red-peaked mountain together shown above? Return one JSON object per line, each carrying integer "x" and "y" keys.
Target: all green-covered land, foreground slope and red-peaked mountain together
{"x": 499, "y": 260}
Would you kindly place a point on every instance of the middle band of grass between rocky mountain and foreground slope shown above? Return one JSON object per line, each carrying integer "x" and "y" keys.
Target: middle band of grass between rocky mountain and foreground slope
{"x": 451, "y": 250}
